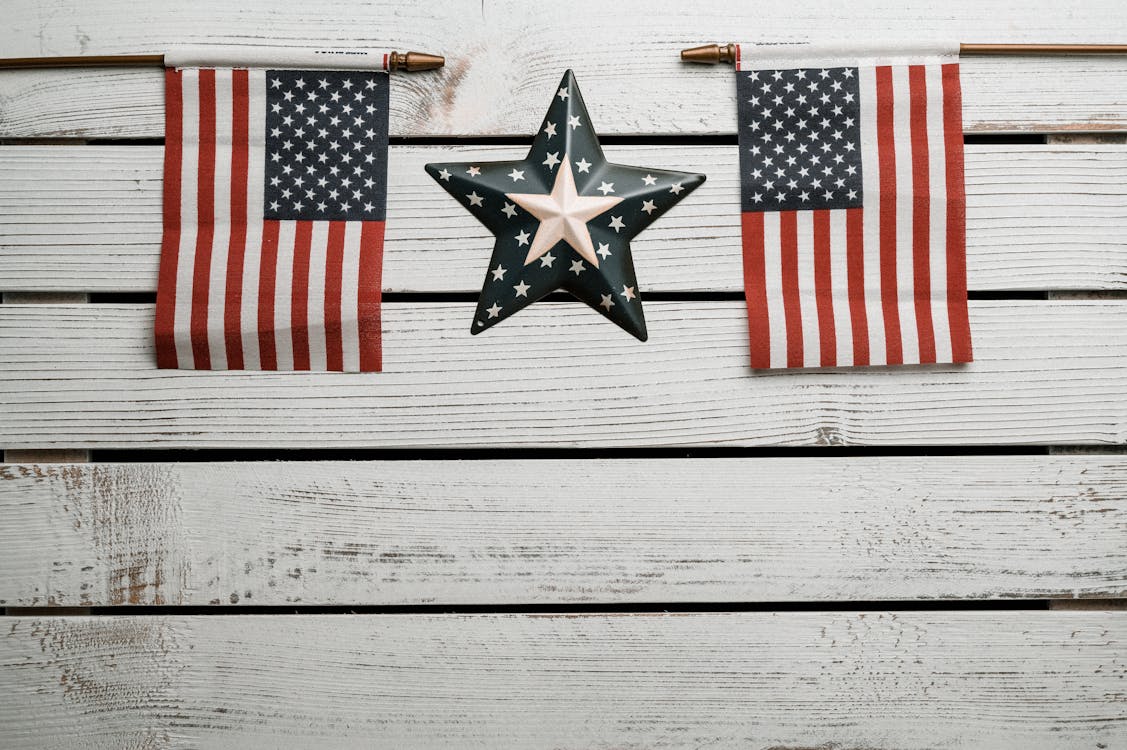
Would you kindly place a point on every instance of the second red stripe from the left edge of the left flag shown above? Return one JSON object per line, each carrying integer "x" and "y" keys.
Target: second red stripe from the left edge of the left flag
{"x": 206, "y": 205}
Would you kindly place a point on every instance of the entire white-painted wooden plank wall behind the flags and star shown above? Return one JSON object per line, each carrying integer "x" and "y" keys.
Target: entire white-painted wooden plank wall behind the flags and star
{"x": 499, "y": 554}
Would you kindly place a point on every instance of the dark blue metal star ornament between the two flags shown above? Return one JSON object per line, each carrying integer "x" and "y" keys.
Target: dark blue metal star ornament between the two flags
{"x": 564, "y": 218}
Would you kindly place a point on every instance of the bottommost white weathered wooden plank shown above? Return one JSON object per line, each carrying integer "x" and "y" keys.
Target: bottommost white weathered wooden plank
{"x": 906, "y": 681}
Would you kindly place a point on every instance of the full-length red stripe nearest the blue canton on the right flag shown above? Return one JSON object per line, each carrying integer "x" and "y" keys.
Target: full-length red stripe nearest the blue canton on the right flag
{"x": 886, "y": 156}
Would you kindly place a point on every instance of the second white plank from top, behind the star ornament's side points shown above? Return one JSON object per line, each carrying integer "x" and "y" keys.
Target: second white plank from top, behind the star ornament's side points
{"x": 90, "y": 218}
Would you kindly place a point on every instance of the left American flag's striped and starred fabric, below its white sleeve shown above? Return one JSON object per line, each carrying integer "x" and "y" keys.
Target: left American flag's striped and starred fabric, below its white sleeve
{"x": 276, "y": 190}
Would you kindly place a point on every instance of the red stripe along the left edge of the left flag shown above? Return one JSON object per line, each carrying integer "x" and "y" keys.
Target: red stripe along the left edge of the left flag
{"x": 171, "y": 239}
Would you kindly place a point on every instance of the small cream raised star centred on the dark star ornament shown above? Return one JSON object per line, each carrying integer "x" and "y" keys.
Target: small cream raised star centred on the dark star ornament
{"x": 564, "y": 216}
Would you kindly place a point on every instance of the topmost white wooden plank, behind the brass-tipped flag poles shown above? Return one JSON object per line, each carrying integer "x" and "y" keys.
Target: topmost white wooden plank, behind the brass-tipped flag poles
{"x": 505, "y": 57}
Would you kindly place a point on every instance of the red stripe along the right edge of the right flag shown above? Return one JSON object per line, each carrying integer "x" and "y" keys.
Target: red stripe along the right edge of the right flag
{"x": 956, "y": 217}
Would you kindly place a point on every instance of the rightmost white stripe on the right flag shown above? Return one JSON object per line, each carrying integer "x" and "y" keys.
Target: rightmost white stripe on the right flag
{"x": 937, "y": 152}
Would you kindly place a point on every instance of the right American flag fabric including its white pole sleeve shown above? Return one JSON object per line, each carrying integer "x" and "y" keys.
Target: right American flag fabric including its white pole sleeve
{"x": 854, "y": 211}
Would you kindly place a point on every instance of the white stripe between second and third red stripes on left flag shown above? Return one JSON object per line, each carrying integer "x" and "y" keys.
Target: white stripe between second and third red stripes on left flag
{"x": 221, "y": 239}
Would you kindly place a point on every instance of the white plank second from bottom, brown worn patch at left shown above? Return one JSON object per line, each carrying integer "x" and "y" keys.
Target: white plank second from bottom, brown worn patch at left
{"x": 551, "y": 532}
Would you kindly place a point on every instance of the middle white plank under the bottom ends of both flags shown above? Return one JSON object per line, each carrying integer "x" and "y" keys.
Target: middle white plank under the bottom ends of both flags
{"x": 558, "y": 375}
